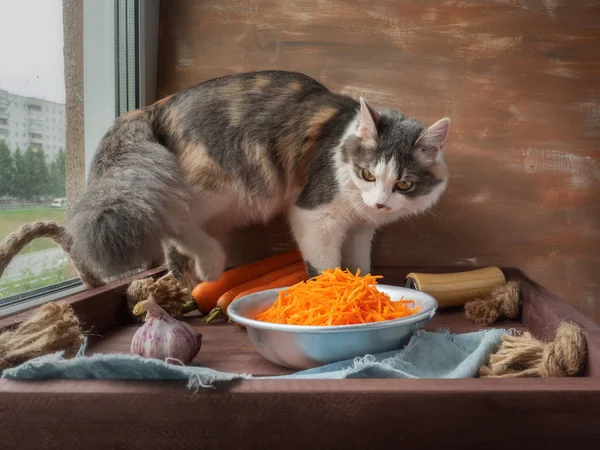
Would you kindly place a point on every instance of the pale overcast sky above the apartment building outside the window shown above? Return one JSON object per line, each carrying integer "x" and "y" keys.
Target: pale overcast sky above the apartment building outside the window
{"x": 31, "y": 54}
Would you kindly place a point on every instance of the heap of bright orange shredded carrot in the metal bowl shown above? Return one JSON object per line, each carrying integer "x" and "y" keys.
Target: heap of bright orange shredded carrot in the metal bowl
{"x": 336, "y": 297}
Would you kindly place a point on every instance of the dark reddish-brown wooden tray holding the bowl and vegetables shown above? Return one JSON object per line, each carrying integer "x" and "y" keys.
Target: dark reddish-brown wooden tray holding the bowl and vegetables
{"x": 286, "y": 414}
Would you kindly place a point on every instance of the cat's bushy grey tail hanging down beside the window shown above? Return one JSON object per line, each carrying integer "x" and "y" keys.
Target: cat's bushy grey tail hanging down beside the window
{"x": 133, "y": 201}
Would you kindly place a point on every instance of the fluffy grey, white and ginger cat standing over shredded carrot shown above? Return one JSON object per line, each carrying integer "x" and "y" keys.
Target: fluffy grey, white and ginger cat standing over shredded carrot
{"x": 176, "y": 177}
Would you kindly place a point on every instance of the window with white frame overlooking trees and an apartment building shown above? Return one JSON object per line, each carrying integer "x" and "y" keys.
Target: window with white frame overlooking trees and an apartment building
{"x": 119, "y": 72}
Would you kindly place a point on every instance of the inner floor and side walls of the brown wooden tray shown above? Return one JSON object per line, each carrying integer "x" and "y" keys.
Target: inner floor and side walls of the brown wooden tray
{"x": 104, "y": 316}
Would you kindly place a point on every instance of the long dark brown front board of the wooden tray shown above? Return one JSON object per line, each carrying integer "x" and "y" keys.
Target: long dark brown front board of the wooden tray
{"x": 374, "y": 414}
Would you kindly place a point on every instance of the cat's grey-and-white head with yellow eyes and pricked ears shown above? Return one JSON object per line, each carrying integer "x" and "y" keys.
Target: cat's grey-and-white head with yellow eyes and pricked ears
{"x": 395, "y": 162}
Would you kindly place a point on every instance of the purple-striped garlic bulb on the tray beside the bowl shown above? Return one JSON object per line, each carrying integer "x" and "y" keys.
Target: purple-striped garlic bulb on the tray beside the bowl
{"x": 163, "y": 337}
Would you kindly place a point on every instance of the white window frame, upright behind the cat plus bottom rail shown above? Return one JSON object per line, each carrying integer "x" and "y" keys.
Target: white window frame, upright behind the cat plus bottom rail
{"x": 100, "y": 95}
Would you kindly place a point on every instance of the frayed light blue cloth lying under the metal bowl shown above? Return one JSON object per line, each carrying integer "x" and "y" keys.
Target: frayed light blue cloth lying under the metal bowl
{"x": 427, "y": 355}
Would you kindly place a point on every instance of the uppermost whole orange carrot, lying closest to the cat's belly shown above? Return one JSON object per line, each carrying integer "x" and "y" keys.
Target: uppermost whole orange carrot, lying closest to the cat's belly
{"x": 207, "y": 293}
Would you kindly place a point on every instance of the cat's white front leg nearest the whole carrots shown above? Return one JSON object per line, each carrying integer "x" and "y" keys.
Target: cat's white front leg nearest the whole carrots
{"x": 319, "y": 237}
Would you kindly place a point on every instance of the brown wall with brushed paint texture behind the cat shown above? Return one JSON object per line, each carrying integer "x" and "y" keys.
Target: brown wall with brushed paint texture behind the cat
{"x": 520, "y": 80}
